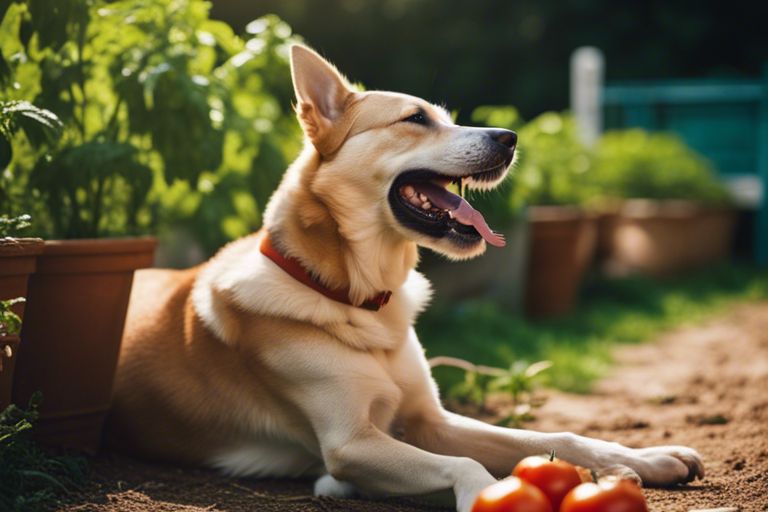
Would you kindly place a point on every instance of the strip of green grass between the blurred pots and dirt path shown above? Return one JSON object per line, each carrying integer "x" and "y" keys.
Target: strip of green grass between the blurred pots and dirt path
{"x": 611, "y": 312}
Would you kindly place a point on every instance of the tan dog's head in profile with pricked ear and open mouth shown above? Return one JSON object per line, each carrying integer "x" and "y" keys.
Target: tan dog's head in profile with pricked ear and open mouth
{"x": 387, "y": 160}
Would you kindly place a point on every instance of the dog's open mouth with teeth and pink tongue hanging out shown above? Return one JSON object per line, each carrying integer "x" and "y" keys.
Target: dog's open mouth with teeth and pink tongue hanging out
{"x": 421, "y": 200}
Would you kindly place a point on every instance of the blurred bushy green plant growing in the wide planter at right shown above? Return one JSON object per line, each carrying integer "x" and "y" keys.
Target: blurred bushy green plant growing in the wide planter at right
{"x": 639, "y": 164}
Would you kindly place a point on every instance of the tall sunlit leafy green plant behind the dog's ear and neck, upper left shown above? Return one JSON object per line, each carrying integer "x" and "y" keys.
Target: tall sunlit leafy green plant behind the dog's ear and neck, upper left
{"x": 168, "y": 117}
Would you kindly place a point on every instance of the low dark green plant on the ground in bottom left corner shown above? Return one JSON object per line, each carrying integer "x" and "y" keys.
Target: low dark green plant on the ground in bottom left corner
{"x": 30, "y": 479}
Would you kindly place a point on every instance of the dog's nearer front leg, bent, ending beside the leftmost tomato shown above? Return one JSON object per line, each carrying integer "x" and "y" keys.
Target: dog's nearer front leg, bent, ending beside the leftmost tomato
{"x": 349, "y": 402}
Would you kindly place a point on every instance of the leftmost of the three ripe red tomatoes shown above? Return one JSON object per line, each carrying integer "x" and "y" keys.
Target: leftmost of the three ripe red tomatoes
{"x": 511, "y": 495}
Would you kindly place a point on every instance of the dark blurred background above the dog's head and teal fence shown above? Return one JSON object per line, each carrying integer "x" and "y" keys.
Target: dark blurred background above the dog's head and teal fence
{"x": 467, "y": 54}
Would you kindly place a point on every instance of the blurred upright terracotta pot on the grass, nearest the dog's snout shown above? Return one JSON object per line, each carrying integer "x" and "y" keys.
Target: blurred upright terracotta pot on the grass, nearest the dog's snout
{"x": 562, "y": 245}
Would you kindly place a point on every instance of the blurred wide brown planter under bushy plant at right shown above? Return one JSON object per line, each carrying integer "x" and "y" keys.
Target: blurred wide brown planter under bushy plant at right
{"x": 665, "y": 237}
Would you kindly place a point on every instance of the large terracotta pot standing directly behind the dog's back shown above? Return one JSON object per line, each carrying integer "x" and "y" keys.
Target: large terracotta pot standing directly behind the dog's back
{"x": 71, "y": 335}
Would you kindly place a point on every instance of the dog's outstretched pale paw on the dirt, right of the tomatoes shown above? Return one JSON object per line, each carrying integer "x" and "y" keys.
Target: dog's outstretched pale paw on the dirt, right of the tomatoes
{"x": 666, "y": 465}
